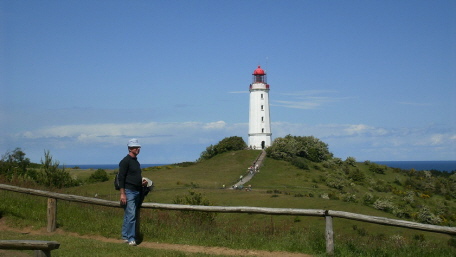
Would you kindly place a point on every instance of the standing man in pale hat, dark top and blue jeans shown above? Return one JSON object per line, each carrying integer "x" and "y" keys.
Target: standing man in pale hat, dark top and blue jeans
{"x": 130, "y": 182}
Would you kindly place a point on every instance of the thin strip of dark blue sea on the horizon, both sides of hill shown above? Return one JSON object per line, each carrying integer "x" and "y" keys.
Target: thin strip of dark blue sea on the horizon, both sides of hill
{"x": 447, "y": 166}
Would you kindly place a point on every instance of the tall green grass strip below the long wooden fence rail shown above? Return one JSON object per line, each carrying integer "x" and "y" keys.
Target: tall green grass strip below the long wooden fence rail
{"x": 237, "y": 231}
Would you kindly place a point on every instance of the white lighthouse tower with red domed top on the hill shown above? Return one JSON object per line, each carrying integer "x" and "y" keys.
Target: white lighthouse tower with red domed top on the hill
{"x": 259, "y": 120}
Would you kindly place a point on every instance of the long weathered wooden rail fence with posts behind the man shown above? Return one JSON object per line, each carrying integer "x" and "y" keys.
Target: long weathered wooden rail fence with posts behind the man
{"x": 327, "y": 214}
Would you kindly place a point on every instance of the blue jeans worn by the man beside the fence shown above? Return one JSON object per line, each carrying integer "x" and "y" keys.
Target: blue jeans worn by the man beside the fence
{"x": 131, "y": 208}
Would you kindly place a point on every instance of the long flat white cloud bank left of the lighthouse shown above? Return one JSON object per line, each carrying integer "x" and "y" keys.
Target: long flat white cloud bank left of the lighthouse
{"x": 152, "y": 132}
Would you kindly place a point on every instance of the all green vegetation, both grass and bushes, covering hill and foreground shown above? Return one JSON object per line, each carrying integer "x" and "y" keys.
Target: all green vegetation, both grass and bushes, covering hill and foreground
{"x": 299, "y": 172}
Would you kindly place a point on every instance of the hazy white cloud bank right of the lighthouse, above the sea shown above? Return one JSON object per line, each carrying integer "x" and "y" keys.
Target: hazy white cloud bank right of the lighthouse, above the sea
{"x": 375, "y": 143}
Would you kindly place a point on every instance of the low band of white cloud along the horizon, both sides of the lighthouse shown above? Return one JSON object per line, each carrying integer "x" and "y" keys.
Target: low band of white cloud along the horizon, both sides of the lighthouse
{"x": 176, "y": 140}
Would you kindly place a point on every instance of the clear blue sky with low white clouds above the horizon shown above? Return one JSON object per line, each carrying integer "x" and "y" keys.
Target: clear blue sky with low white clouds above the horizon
{"x": 375, "y": 80}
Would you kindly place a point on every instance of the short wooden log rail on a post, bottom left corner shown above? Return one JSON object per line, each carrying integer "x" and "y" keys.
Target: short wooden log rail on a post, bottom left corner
{"x": 42, "y": 248}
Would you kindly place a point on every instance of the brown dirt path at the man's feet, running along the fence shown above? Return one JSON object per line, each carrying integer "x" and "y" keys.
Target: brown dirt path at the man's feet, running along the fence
{"x": 162, "y": 246}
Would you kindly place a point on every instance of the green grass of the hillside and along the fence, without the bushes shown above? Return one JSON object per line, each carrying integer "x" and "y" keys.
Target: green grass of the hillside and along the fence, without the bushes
{"x": 278, "y": 184}
